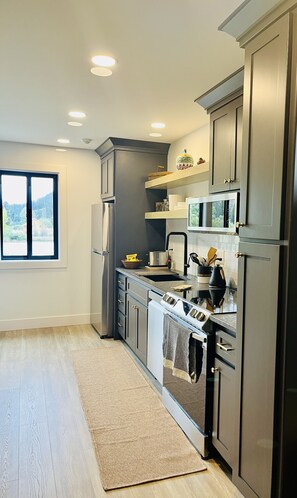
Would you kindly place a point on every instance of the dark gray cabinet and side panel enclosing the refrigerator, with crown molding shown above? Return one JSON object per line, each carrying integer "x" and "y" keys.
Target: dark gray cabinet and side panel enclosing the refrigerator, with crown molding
{"x": 125, "y": 167}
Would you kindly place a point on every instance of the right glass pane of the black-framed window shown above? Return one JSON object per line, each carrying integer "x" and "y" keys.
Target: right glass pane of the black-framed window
{"x": 42, "y": 196}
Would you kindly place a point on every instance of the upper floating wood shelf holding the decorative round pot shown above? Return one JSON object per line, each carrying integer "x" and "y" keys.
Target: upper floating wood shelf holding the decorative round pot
{"x": 194, "y": 174}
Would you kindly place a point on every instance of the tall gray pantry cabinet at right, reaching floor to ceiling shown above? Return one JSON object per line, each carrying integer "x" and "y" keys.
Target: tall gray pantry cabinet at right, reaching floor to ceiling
{"x": 265, "y": 434}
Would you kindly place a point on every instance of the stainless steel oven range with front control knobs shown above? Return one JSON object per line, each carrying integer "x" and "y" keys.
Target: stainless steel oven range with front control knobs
{"x": 191, "y": 403}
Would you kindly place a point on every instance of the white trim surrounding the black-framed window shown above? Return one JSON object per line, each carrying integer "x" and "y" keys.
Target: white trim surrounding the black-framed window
{"x": 62, "y": 222}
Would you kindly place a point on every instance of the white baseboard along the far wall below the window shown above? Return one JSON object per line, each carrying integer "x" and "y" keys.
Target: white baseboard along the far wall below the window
{"x": 46, "y": 321}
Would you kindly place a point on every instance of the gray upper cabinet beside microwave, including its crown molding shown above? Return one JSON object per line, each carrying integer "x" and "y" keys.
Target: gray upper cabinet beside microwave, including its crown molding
{"x": 224, "y": 103}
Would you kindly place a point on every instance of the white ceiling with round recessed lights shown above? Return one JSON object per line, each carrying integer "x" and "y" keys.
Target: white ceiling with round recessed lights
{"x": 169, "y": 52}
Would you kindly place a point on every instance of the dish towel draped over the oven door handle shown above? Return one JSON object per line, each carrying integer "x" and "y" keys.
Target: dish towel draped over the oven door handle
{"x": 180, "y": 351}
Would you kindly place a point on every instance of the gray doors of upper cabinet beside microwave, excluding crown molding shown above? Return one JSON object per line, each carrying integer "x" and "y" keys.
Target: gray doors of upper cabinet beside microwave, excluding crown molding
{"x": 226, "y": 146}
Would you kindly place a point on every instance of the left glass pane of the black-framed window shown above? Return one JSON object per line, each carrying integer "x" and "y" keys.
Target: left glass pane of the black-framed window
{"x": 14, "y": 200}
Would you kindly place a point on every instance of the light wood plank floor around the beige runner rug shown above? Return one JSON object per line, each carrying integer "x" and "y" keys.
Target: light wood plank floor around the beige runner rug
{"x": 45, "y": 446}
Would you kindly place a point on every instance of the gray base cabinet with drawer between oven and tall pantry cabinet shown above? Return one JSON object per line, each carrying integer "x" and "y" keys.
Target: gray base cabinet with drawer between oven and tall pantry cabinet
{"x": 224, "y": 394}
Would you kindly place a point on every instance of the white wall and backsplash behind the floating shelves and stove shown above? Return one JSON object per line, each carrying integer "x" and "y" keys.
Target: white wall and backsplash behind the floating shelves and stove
{"x": 197, "y": 144}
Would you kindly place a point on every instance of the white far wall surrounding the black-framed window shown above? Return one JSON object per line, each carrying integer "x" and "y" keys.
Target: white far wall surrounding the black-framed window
{"x": 54, "y": 296}
